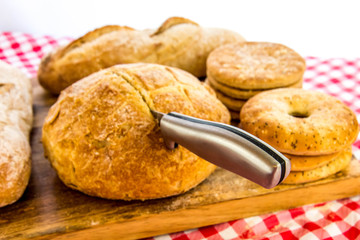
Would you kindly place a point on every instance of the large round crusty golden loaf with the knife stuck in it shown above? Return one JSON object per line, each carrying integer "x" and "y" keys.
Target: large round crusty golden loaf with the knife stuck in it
{"x": 102, "y": 139}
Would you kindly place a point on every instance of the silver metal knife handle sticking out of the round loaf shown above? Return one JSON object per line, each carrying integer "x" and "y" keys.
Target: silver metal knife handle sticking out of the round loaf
{"x": 228, "y": 147}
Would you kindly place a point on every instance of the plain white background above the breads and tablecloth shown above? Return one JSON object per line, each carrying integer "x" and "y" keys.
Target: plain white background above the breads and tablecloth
{"x": 310, "y": 27}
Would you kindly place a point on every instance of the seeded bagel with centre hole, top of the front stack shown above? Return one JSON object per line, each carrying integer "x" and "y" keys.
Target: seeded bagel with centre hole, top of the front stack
{"x": 300, "y": 122}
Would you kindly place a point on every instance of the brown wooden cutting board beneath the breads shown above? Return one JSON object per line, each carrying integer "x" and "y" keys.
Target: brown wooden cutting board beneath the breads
{"x": 48, "y": 209}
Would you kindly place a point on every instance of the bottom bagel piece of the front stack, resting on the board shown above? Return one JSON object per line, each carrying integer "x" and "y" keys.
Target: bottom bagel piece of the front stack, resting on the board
{"x": 334, "y": 166}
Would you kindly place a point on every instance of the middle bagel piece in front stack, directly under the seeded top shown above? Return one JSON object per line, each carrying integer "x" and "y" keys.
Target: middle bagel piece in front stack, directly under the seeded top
{"x": 305, "y": 163}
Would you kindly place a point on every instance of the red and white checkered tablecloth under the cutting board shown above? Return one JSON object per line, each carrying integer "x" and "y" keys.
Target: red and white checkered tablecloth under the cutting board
{"x": 339, "y": 219}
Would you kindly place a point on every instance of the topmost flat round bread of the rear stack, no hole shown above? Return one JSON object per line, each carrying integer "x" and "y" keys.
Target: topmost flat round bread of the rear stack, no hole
{"x": 255, "y": 65}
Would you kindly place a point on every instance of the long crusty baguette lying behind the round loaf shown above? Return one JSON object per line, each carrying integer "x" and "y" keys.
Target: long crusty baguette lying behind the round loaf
{"x": 178, "y": 42}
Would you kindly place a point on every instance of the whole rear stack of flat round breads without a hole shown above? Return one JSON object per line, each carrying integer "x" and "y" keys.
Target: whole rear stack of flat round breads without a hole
{"x": 239, "y": 71}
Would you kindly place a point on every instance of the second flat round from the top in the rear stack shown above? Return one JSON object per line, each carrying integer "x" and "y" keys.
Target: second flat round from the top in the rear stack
{"x": 243, "y": 93}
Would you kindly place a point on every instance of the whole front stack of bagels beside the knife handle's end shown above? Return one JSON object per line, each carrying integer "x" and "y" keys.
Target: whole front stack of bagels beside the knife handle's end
{"x": 314, "y": 130}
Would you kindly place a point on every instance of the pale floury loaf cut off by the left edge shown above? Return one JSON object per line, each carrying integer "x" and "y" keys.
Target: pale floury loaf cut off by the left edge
{"x": 15, "y": 126}
